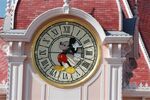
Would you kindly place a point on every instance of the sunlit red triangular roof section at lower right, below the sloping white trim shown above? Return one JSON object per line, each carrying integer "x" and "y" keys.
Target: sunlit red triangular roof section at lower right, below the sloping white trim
{"x": 142, "y": 73}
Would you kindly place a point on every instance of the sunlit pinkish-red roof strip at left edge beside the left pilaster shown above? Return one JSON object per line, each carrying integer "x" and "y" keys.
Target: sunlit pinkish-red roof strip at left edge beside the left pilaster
{"x": 3, "y": 63}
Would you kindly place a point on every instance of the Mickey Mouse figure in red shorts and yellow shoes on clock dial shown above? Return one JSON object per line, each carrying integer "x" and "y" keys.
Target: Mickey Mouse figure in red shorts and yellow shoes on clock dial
{"x": 67, "y": 47}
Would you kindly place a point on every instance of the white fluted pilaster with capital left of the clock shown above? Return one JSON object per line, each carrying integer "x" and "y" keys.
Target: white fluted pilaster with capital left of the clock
{"x": 15, "y": 62}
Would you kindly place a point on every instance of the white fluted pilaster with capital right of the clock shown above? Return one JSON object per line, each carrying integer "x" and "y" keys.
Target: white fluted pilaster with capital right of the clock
{"x": 114, "y": 70}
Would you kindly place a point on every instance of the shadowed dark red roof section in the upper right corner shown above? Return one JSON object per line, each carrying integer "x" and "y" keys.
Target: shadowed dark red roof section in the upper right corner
{"x": 144, "y": 22}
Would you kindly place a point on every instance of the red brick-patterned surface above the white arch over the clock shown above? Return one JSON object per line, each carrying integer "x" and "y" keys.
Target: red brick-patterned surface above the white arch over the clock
{"x": 106, "y": 11}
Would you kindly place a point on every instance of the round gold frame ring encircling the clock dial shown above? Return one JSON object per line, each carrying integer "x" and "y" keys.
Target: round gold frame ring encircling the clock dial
{"x": 72, "y": 18}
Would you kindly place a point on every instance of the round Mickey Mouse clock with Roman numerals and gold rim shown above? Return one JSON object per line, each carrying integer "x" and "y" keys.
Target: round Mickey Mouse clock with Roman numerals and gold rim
{"x": 66, "y": 51}
